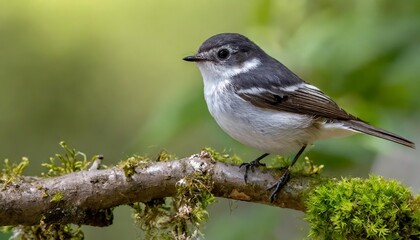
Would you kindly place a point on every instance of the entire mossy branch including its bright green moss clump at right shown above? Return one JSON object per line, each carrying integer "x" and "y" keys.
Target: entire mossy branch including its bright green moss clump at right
{"x": 170, "y": 197}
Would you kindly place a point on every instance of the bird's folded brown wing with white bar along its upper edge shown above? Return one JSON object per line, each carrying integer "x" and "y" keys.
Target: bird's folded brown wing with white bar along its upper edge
{"x": 299, "y": 98}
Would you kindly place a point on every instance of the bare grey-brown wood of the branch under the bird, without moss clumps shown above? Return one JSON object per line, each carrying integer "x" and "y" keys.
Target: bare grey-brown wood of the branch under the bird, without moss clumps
{"x": 82, "y": 197}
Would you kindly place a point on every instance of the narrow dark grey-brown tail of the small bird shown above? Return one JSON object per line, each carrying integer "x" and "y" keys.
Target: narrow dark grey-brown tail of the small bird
{"x": 363, "y": 127}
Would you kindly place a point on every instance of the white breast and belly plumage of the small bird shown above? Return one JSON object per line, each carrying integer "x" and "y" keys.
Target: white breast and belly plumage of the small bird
{"x": 267, "y": 130}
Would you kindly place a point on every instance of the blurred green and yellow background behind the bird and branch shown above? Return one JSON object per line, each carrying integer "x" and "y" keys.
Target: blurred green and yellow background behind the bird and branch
{"x": 107, "y": 77}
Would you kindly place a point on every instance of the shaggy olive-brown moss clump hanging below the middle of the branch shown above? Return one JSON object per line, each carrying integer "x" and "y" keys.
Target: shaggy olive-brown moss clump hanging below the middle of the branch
{"x": 179, "y": 217}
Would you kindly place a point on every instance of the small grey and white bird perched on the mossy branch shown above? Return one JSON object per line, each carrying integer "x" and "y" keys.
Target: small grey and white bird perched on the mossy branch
{"x": 261, "y": 103}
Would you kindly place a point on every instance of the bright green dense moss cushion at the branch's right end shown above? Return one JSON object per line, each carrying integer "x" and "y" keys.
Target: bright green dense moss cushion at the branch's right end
{"x": 363, "y": 209}
